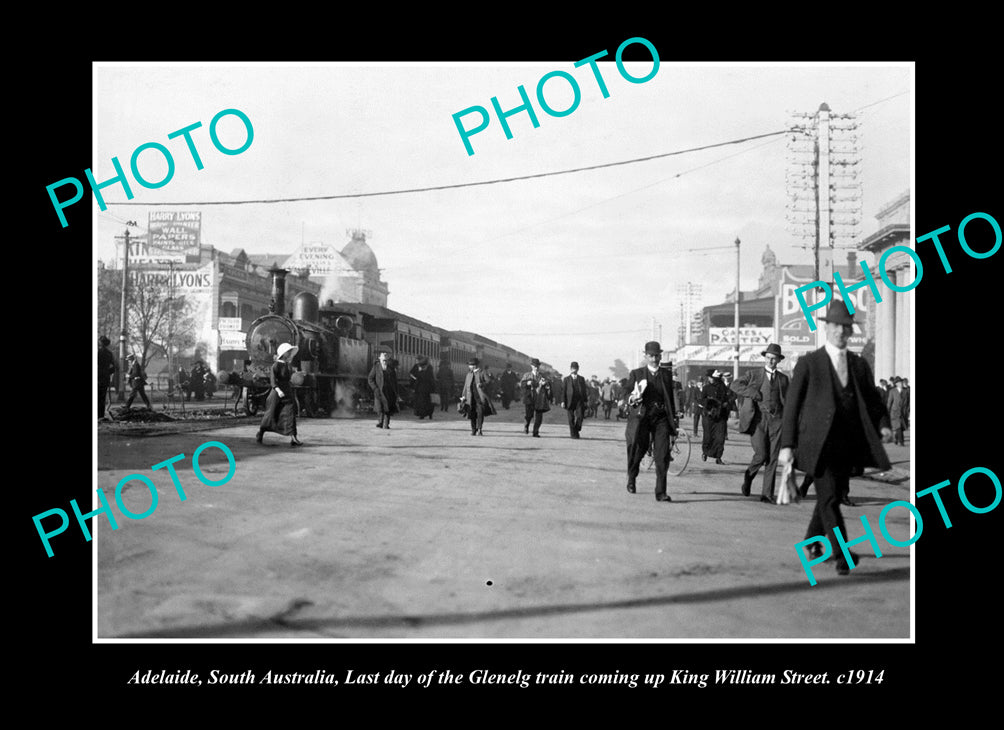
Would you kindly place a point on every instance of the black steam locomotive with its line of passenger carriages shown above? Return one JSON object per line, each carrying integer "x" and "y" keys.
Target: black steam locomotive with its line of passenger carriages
{"x": 337, "y": 345}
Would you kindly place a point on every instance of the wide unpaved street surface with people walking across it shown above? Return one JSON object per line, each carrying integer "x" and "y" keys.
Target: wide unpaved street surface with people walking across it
{"x": 424, "y": 532}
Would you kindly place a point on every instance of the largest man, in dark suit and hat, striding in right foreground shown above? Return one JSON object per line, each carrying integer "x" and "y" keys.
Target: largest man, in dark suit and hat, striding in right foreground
{"x": 833, "y": 418}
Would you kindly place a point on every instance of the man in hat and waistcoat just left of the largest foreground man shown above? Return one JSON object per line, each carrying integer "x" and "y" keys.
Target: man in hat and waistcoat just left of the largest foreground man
{"x": 762, "y": 416}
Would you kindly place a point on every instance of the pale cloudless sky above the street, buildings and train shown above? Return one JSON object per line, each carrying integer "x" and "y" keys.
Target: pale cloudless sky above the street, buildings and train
{"x": 566, "y": 268}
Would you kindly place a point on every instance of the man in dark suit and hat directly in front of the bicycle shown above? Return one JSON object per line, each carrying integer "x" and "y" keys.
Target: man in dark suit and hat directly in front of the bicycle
{"x": 652, "y": 418}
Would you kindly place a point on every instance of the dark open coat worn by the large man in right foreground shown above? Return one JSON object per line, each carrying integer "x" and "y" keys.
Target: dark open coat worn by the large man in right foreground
{"x": 812, "y": 405}
